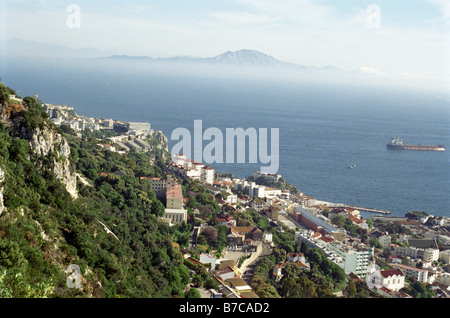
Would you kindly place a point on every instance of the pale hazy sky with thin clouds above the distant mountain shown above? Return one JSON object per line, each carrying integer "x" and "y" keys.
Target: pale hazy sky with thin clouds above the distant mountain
{"x": 398, "y": 36}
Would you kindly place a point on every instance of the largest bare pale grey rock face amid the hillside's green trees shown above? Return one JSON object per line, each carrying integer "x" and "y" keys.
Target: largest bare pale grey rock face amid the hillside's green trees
{"x": 50, "y": 150}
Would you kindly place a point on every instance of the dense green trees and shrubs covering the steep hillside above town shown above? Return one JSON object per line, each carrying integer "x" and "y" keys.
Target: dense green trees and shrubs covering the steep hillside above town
{"x": 43, "y": 230}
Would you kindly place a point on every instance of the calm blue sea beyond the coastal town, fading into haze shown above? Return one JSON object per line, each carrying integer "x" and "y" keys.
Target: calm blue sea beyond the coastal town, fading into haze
{"x": 323, "y": 128}
